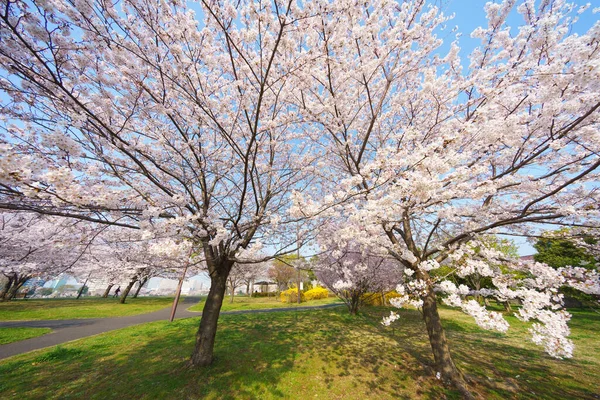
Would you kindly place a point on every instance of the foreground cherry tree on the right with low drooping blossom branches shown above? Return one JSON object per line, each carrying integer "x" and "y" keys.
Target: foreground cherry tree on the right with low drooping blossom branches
{"x": 436, "y": 151}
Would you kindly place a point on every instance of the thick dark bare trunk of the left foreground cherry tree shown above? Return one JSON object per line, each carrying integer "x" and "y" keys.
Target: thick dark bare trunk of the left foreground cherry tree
{"x": 205, "y": 337}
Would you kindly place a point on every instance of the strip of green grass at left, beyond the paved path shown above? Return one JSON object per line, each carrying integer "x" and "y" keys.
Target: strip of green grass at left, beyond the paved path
{"x": 18, "y": 310}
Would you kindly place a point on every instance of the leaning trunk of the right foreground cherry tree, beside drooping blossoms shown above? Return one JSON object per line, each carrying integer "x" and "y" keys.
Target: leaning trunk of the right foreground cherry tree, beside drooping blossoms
{"x": 439, "y": 345}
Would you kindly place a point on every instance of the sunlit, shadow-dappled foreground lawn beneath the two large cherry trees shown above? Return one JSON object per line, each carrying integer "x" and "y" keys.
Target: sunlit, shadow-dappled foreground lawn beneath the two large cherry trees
{"x": 324, "y": 354}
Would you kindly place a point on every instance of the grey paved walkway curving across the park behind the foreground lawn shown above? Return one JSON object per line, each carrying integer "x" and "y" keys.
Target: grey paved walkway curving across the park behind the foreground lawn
{"x": 73, "y": 329}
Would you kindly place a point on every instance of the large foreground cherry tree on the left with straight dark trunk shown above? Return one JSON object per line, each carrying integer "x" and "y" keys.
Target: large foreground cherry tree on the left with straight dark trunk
{"x": 141, "y": 114}
